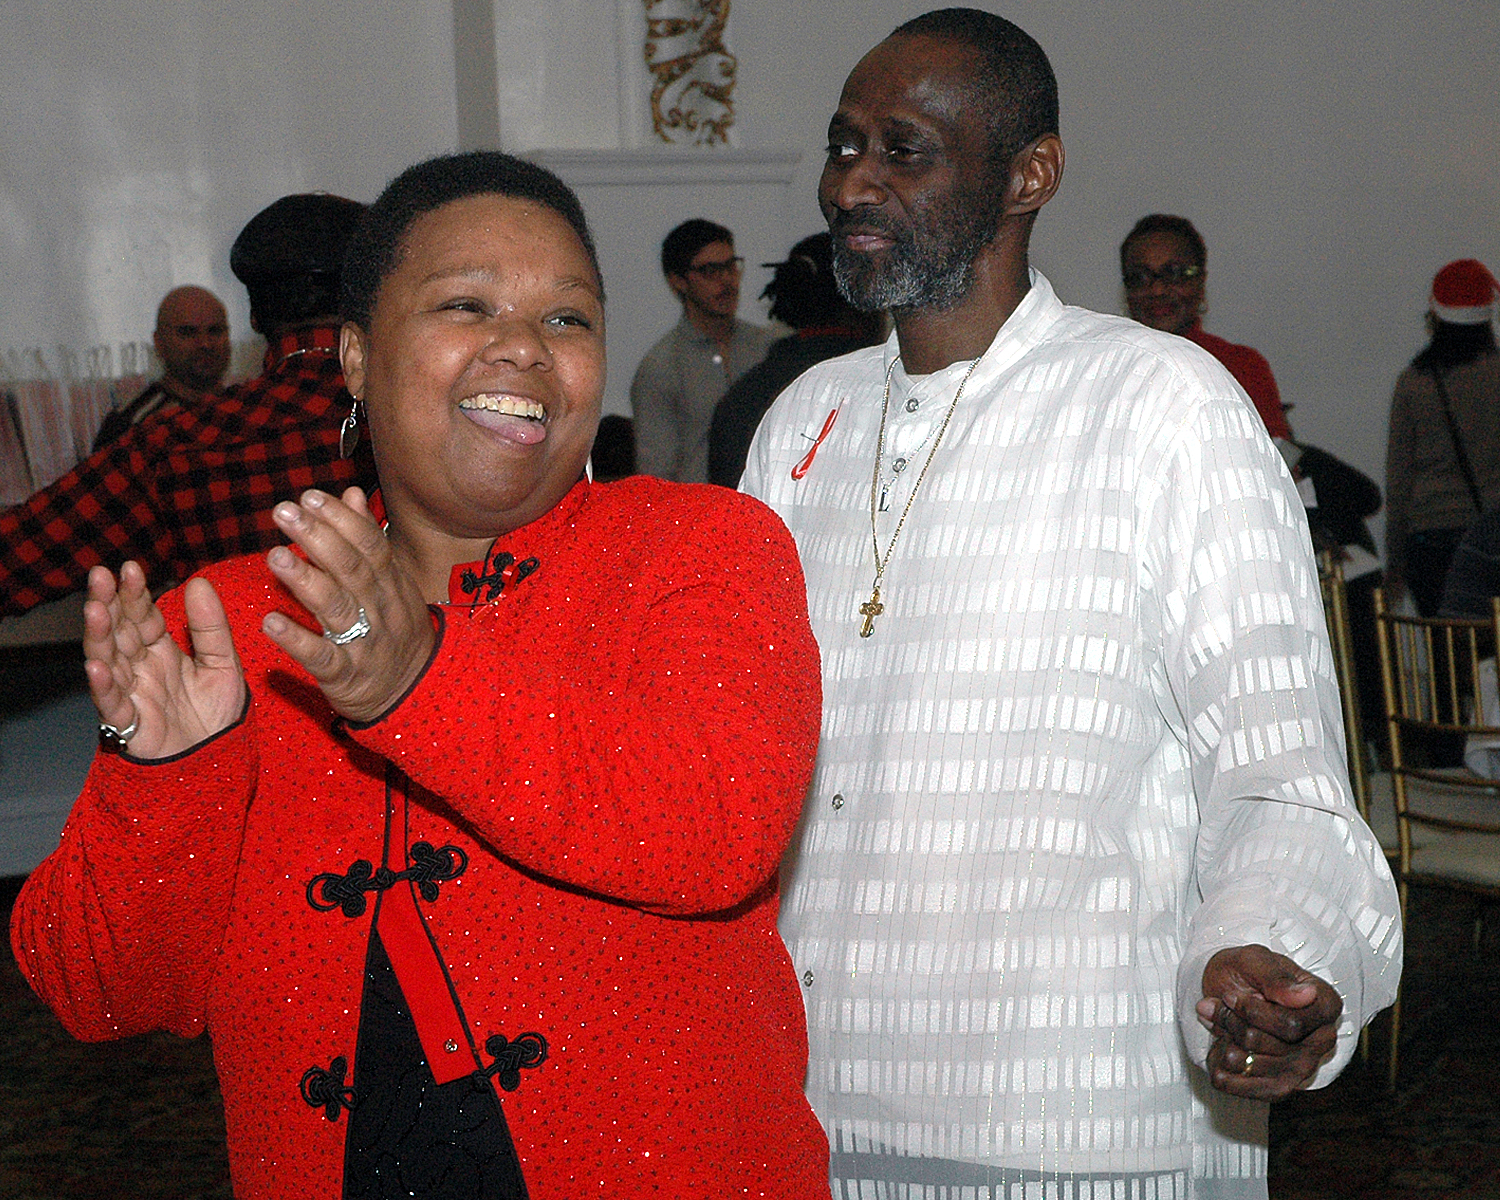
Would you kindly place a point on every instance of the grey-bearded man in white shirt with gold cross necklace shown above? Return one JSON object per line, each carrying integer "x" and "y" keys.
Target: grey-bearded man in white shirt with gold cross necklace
{"x": 1082, "y": 884}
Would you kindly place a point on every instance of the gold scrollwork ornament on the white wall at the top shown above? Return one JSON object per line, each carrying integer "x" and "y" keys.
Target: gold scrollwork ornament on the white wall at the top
{"x": 694, "y": 74}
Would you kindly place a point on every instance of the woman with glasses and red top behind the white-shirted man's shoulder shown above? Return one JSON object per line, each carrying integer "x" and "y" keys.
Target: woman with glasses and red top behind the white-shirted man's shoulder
{"x": 1165, "y": 266}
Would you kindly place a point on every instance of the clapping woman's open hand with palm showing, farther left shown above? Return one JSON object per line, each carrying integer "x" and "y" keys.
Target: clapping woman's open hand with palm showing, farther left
{"x": 139, "y": 676}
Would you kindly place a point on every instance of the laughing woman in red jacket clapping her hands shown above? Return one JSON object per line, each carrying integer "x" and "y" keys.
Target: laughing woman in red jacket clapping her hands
{"x": 457, "y": 824}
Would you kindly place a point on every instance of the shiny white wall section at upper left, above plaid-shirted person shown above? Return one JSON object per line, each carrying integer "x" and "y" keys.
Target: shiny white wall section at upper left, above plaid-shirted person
{"x": 140, "y": 136}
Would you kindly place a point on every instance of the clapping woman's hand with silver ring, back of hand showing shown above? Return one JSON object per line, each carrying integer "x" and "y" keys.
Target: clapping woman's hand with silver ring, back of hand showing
{"x": 350, "y": 581}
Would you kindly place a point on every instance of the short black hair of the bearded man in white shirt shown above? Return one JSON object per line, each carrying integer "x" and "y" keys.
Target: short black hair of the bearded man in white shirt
{"x": 1016, "y": 86}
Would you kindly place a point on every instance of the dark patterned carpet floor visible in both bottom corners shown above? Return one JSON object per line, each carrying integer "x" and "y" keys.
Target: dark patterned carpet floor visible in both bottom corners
{"x": 142, "y": 1120}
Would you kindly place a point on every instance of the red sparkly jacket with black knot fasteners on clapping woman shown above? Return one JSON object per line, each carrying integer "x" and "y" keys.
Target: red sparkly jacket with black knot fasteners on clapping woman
{"x": 616, "y": 731}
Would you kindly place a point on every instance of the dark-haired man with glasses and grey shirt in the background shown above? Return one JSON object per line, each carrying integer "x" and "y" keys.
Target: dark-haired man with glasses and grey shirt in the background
{"x": 683, "y": 377}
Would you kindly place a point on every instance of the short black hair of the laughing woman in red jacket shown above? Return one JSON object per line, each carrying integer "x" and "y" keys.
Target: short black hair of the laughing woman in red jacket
{"x": 376, "y": 248}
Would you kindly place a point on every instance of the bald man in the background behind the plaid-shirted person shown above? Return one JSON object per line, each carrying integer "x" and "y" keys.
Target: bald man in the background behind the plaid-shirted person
{"x": 193, "y": 341}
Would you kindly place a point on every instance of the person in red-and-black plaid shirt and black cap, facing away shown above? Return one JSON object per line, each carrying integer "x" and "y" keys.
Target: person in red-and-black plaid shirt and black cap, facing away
{"x": 191, "y": 487}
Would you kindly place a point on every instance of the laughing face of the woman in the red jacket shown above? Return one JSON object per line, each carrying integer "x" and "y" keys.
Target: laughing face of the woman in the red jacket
{"x": 482, "y": 368}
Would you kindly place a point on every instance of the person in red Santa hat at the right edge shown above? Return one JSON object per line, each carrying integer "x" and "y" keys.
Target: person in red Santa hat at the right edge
{"x": 1444, "y": 452}
